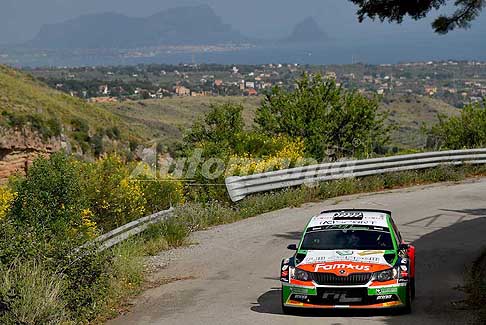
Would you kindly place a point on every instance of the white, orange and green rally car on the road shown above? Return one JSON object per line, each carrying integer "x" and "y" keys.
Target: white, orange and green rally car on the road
{"x": 349, "y": 259}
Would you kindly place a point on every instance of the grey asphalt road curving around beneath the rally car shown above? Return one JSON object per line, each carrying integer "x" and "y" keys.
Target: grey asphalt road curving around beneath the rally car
{"x": 231, "y": 275}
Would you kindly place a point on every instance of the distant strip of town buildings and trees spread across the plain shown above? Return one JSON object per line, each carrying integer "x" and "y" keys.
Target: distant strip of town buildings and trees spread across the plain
{"x": 144, "y": 82}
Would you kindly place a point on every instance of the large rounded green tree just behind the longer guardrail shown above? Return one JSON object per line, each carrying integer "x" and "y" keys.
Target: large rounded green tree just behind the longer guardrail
{"x": 326, "y": 117}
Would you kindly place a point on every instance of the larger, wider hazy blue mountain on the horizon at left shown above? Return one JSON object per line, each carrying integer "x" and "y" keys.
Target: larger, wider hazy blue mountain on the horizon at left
{"x": 192, "y": 25}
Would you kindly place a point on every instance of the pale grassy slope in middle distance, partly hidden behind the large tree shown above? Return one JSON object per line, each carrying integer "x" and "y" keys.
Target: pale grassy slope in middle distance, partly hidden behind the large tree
{"x": 165, "y": 119}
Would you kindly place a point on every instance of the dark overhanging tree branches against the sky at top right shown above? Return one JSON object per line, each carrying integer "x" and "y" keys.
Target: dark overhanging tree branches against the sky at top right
{"x": 395, "y": 10}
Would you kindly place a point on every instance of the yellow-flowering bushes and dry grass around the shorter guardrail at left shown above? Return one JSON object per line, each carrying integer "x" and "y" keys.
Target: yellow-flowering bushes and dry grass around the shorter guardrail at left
{"x": 45, "y": 216}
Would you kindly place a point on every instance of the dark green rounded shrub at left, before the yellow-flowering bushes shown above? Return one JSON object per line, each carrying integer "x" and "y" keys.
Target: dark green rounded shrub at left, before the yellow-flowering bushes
{"x": 48, "y": 208}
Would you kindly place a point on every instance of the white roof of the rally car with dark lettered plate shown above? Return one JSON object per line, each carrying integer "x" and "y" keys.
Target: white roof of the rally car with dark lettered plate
{"x": 369, "y": 217}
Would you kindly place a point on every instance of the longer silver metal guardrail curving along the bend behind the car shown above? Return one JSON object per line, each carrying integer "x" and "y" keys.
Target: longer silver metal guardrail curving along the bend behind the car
{"x": 241, "y": 186}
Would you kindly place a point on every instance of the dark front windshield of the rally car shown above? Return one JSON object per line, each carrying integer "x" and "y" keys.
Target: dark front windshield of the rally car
{"x": 330, "y": 239}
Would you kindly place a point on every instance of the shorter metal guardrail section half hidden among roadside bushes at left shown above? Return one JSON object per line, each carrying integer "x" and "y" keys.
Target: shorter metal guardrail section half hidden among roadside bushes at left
{"x": 124, "y": 232}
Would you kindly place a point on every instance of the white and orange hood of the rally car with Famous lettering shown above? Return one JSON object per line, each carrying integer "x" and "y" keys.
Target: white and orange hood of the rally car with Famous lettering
{"x": 352, "y": 261}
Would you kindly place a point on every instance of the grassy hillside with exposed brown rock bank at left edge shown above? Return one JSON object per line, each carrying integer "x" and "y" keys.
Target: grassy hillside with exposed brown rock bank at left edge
{"x": 36, "y": 120}
